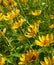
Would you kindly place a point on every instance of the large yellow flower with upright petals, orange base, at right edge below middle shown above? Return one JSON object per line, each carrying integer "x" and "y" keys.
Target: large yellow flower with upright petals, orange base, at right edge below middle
{"x": 45, "y": 40}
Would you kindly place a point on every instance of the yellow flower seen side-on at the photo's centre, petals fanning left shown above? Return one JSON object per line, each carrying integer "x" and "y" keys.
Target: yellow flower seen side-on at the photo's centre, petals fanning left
{"x": 32, "y": 29}
